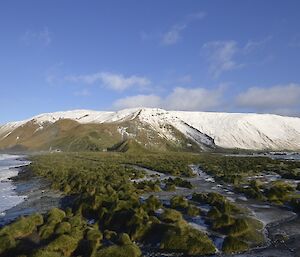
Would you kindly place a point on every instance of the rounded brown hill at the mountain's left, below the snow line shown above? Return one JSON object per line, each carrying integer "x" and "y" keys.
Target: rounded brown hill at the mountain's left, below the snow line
{"x": 63, "y": 134}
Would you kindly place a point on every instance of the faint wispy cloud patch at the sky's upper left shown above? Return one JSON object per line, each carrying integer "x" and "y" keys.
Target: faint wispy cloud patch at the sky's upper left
{"x": 43, "y": 37}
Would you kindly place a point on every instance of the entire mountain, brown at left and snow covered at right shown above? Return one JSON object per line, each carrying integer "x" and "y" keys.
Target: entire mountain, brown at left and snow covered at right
{"x": 152, "y": 128}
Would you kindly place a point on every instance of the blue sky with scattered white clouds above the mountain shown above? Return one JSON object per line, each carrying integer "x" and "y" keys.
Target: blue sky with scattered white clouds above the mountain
{"x": 213, "y": 55}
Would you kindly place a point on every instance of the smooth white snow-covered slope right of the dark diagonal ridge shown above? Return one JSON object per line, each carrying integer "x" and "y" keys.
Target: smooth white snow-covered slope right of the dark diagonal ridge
{"x": 246, "y": 131}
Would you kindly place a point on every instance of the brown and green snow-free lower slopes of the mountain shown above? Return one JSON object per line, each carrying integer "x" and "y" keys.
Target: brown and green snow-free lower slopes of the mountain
{"x": 69, "y": 135}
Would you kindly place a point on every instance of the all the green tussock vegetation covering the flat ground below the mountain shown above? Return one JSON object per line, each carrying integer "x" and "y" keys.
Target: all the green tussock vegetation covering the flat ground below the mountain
{"x": 109, "y": 217}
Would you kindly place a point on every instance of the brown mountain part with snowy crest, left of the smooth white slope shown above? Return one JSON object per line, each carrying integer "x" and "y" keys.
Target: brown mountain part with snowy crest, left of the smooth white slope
{"x": 99, "y": 131}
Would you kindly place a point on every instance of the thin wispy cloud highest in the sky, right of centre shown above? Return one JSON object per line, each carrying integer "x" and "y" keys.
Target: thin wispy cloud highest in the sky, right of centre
{"x": 173, "y": 35}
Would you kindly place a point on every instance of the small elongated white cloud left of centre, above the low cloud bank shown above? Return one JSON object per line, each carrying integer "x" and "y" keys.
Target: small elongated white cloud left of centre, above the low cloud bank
{"x": 113, "y": 81}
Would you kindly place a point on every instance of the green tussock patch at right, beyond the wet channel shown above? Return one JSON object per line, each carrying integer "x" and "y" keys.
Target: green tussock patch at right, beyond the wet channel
{"x": 237, "y": 170}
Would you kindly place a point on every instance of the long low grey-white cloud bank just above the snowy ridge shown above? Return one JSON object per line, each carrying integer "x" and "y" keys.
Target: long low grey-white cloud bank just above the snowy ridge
{"x": 281, "y": 99}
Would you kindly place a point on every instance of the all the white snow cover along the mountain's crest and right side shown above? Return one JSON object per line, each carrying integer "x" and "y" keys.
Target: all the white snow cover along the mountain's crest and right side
{"x": 228, "y": 130}
